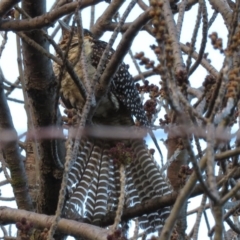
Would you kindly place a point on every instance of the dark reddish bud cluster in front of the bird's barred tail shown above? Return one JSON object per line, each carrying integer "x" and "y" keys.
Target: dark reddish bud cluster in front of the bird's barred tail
{"x": 122, "y": 154}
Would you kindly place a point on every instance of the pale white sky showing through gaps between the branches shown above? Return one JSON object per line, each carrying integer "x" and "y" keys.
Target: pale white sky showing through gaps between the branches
{"x": 8, "y": 63}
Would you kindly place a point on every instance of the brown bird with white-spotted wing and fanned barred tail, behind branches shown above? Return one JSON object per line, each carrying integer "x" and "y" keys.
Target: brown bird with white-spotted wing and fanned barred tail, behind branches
{"x": 93, "y": 186}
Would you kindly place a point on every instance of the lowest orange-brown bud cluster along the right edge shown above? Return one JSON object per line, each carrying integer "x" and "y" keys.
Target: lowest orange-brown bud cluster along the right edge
{"x": 233, "y": 84}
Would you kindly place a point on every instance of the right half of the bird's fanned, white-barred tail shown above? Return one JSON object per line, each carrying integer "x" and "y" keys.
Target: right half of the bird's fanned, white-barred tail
{"x": 149, "y": 183}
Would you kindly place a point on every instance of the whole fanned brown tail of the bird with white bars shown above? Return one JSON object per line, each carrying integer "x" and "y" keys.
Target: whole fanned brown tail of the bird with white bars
{"x": 94, "y": 184}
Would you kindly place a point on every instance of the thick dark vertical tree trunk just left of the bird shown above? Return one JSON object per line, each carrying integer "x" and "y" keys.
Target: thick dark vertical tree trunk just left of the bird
{"x": 41, "y": 89}
